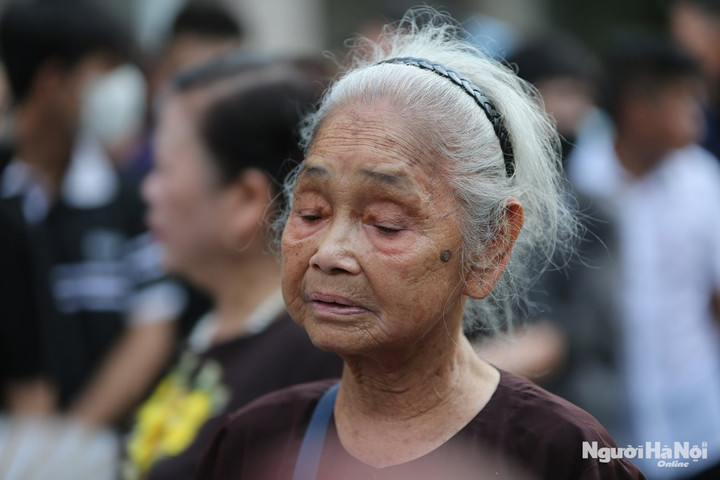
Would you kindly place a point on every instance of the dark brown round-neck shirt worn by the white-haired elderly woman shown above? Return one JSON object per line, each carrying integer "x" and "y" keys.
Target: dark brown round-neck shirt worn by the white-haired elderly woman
{"x": 522, "y": 428}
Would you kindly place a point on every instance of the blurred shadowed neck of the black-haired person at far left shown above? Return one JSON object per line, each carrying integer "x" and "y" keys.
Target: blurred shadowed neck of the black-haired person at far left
{"x": 44, "y": 145}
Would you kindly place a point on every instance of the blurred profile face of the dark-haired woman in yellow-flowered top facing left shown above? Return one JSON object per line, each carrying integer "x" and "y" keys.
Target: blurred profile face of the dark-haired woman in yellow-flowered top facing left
{"x": 187, "y": 209}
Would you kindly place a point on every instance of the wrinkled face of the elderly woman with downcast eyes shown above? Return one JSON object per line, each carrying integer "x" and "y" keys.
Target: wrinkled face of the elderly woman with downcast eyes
{"x": 362, "y": 246}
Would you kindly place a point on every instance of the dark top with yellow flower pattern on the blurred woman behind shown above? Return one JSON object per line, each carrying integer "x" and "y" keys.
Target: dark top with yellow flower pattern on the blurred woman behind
{"x": 173, "y": 423}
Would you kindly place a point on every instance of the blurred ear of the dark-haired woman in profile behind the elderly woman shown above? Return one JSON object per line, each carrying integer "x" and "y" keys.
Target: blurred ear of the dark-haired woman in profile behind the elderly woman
{"x": 250, "y": 196}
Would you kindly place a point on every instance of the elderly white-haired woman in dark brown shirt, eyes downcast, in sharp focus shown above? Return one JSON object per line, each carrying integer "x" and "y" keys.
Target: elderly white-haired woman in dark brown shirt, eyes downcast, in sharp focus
{"x": 430, "y": 182}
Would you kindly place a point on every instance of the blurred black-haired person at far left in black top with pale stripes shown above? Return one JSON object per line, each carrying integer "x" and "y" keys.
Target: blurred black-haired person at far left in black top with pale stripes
{"x": 102, "y": 304}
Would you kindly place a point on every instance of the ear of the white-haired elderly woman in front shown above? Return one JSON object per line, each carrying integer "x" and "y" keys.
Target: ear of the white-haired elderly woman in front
{"x": 482, "y": 277}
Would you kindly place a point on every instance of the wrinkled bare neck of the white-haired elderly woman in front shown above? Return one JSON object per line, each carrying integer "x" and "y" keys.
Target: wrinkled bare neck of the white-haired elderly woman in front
{"x": 393, "y": 410}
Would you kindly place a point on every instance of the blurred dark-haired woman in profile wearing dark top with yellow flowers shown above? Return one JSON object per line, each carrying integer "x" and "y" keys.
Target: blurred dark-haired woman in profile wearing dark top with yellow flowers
{"x": 226, "y": 135}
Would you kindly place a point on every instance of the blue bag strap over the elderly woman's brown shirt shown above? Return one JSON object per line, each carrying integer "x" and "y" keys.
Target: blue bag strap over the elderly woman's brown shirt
{"x": 306, "y": 467}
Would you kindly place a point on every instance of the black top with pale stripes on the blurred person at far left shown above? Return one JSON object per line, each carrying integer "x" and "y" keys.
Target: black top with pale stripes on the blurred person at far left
{"x": 82, "y": 267}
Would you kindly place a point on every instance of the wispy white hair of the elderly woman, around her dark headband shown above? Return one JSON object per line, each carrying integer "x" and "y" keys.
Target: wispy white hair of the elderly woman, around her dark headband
{"x": 456, "y": 128}
